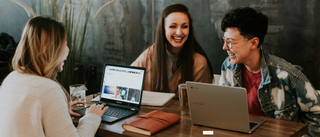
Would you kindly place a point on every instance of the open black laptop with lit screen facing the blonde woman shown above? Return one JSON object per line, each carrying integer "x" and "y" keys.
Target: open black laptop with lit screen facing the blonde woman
{"x": 121, "y": 90}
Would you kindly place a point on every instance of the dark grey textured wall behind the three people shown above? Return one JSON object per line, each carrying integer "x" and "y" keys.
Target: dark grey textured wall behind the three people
{"x": 126, "y": 28}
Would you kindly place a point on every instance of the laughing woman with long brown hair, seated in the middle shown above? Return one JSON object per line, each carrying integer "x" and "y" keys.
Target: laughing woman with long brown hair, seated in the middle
{"x": 176, "y": 56}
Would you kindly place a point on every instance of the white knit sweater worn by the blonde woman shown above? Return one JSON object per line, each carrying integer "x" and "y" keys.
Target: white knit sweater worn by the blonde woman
{"x": 34, "y": 106}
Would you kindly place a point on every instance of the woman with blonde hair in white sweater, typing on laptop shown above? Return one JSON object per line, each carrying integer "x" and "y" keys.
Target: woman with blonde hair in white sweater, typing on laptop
{"x": 33, "y": 101}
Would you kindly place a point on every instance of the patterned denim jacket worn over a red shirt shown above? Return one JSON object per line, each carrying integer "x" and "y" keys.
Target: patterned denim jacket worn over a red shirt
{"x": 284, "y": 92}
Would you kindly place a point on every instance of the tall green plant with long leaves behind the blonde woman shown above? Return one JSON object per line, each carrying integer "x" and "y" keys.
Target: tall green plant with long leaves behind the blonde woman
{"x": 75, "y": 28}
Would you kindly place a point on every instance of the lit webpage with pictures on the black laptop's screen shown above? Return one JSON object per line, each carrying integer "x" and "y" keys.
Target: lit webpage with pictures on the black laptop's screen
{"x": 123, "y": 84}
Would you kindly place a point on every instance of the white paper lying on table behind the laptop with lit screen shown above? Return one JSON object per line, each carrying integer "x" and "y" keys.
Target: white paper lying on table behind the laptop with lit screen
{"x": 150, "y": 98}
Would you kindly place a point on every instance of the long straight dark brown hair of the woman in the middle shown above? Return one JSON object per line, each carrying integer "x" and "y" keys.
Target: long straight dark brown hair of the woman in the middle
{"x": 185, "y": 57}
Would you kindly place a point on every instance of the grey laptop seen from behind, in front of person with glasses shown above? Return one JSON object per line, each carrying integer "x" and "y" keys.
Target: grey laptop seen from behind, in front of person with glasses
{"x": 220, "y": 107}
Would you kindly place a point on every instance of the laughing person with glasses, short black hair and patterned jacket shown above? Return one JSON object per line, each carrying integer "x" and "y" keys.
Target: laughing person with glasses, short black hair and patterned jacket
{"x": 275, "y": 88}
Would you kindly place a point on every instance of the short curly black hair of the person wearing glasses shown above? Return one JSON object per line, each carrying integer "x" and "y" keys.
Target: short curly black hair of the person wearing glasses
{"x": 249, "y": 22}
